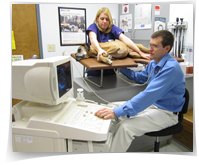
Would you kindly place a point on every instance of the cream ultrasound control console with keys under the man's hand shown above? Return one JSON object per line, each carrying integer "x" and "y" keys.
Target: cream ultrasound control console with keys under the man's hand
{"x": 75, "y": 120}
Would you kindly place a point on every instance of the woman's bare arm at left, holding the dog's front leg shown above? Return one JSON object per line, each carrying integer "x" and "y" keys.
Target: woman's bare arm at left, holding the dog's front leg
{"x": 95, "y": 44}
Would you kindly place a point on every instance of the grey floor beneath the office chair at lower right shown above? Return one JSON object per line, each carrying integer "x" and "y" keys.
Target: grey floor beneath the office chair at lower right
{"x": 174, "y": 146}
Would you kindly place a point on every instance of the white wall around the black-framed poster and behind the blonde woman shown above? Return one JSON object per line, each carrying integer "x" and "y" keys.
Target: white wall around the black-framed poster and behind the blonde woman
{"x": 50, "y": 27}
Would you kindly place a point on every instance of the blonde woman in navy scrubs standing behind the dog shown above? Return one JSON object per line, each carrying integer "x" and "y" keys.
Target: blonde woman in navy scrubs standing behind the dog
{"x": 103, "y": 30}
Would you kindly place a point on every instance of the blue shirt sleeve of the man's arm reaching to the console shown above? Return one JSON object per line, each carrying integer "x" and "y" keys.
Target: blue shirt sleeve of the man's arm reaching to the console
{"x": 155, "y": 90}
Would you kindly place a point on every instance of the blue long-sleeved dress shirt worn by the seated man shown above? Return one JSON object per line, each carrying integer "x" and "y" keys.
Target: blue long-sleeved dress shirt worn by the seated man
{"x": 165, "y": 89}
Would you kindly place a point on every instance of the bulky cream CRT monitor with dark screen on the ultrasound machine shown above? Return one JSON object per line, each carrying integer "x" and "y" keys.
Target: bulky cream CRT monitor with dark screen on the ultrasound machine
{"x": 47, "y": 81}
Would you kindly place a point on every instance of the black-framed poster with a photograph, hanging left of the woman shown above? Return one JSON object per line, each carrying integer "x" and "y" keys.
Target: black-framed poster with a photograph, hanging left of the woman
{"x": 72, "y": 24}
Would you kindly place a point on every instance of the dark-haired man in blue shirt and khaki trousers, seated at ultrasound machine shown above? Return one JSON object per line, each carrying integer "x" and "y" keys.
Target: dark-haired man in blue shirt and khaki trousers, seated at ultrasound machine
{"x": 158, "y": 105}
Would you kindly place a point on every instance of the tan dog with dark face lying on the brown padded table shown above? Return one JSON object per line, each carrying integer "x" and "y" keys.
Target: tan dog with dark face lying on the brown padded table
{"x": 115, "y": 49}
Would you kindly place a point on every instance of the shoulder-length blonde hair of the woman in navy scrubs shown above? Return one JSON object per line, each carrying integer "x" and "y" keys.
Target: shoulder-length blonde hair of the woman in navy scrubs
{"x": 108, "y": 13}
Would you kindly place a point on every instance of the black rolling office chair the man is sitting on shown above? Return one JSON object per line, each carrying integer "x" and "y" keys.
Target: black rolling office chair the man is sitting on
{"x": 173, "y": 129}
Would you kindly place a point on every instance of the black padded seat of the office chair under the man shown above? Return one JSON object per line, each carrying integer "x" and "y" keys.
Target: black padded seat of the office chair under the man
{"x": 167, "y": 131}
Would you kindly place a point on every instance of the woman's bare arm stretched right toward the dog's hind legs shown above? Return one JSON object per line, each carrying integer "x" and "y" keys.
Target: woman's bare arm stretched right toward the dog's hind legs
{"x": 132, "y": 45}
